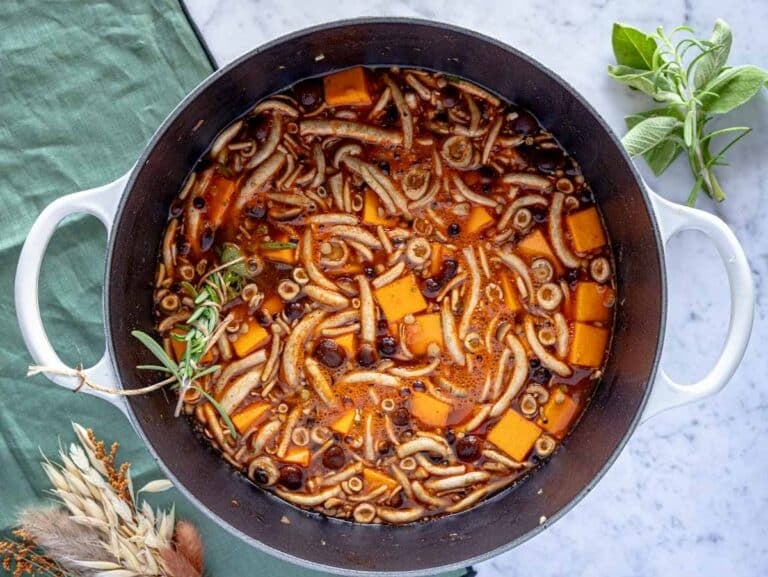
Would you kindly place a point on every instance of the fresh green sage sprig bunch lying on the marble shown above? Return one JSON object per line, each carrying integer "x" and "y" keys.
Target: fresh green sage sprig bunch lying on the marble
{"x": 692, "y": 81}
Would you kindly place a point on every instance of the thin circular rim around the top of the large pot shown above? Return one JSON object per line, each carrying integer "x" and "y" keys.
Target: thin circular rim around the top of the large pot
{"x": 660, "y": 253}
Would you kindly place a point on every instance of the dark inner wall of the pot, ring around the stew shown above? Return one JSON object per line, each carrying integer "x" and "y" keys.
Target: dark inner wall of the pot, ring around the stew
{"x": 495, "y": 524}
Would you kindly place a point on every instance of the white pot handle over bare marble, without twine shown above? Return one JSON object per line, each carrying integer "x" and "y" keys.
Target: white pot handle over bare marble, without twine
{"x": 674, "y": 218}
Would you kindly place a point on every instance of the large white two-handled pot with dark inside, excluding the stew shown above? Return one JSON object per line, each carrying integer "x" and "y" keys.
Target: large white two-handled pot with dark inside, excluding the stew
{"x": 134, "y": 210}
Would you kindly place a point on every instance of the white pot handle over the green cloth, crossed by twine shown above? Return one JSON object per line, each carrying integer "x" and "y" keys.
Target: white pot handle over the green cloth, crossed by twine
{"x": 100, "y": 202}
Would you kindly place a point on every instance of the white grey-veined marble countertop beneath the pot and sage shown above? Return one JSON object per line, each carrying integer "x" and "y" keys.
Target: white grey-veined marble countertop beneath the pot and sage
{"x": 689, "y": 495}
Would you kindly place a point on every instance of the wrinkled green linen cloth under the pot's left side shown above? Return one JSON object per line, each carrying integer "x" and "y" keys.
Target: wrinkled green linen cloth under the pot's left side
{"x": 82, "y": 87}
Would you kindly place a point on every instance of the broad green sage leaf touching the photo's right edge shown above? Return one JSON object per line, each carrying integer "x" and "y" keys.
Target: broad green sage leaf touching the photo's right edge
{"x": 732, "y": 88}
